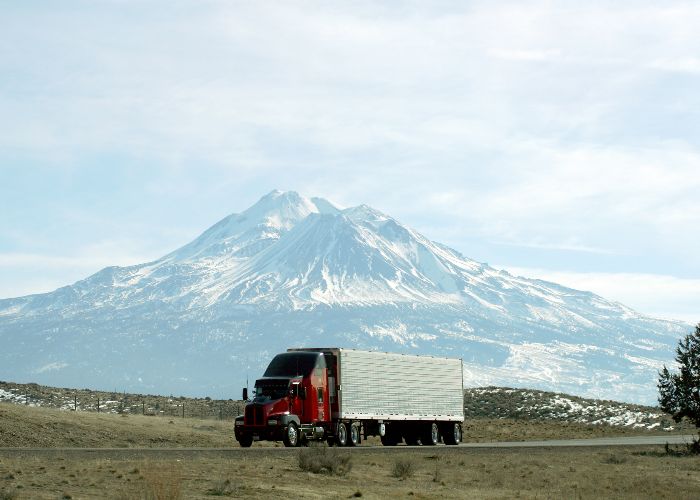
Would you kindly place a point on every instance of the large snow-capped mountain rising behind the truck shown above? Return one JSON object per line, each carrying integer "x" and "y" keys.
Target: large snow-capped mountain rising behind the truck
{"x": 296, "y": 271}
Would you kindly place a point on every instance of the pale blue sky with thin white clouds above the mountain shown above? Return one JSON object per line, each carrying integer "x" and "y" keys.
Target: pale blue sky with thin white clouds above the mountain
{"x": 558, "y": 140}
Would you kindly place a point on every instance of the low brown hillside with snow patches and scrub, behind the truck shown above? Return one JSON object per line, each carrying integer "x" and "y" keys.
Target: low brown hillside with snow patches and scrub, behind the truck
{"x": 33, "y": 415}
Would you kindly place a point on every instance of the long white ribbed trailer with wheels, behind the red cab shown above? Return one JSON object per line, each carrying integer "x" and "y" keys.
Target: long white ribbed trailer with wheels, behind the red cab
{"x": 399, "y": 397}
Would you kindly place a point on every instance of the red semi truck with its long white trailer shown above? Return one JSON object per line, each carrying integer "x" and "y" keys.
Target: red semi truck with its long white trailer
{"x": 343, "y": 396}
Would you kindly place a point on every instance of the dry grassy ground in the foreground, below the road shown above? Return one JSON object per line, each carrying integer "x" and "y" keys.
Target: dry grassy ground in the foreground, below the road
{"x": 441, "y": 472}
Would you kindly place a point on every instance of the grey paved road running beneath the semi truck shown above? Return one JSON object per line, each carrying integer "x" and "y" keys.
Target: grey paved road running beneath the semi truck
{"x": 182, "y": 452}
